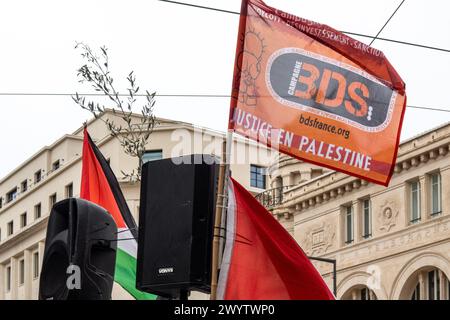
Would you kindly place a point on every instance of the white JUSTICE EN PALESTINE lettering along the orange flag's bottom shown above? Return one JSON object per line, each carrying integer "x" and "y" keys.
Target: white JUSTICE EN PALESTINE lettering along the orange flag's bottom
{"x": 261, "y": 130}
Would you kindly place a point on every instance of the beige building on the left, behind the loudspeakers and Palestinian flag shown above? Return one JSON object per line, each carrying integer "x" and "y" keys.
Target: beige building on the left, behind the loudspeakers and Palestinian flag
{"x": 28, "y": 193}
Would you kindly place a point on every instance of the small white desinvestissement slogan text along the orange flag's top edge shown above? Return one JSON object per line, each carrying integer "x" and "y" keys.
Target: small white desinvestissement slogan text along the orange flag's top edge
{"x": 317, "y": 29}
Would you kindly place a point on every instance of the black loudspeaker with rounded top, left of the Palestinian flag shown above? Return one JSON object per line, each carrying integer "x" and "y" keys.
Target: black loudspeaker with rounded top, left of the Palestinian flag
{"x": 80, "y": 252}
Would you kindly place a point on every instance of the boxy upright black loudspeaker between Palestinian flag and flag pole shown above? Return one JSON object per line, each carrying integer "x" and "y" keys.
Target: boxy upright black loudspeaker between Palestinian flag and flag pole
{"x": 176, "y": 222}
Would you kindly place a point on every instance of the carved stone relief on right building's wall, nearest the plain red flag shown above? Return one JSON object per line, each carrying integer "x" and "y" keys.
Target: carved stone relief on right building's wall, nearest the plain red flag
{"x": 319, "y": 239}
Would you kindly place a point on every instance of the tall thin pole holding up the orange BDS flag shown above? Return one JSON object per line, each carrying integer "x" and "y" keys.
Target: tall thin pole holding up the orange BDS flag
{"x": 224, "y": 170}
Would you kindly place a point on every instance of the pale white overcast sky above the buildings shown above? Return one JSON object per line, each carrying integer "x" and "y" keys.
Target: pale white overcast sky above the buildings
{"x": 176, "y": 49}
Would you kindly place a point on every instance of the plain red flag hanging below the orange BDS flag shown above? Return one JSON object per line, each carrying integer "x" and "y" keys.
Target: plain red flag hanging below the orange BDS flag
{"x": 261, "y": 260}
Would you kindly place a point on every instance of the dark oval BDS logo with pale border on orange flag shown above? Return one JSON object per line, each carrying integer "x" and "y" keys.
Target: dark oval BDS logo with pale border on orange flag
{"x": 321, "y": 85}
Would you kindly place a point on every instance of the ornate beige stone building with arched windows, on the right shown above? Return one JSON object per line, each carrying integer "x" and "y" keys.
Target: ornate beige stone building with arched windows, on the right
{"x": 388, "y": 242}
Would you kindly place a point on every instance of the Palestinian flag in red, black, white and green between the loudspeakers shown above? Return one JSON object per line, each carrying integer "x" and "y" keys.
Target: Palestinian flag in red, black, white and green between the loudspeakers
{"x": 99, "y": 185}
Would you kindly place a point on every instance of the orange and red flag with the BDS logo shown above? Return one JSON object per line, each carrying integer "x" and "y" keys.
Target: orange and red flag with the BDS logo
{"x": 316, "y": 94}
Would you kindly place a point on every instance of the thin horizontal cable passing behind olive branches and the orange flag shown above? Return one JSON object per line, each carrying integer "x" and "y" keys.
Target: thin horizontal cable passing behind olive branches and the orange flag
{"x": 31, "y": 94}
